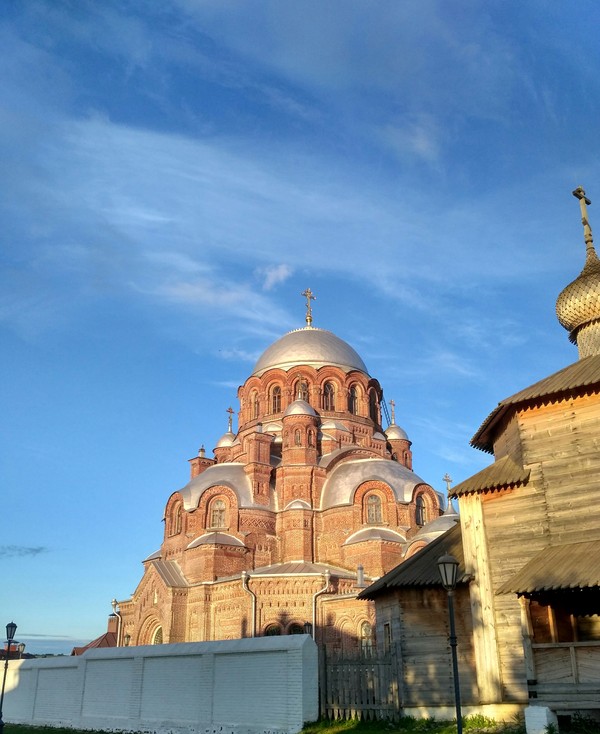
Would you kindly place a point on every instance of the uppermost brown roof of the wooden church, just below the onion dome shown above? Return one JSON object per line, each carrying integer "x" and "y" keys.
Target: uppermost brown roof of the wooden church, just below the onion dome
{"x": 576, "y": 378}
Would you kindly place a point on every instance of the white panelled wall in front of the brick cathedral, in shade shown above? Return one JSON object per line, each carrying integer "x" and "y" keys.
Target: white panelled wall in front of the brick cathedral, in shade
{"x": 265, "y": 685}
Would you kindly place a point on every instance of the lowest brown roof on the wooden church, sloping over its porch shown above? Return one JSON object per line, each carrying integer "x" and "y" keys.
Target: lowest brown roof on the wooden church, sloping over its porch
{"x": 569, "y": 566}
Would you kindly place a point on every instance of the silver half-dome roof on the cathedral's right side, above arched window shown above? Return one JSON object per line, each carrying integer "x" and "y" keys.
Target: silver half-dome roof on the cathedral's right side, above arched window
{"x": 348, "y": 475}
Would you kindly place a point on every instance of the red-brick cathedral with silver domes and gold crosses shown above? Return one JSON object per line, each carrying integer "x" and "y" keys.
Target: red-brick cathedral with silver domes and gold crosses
{"x": 308, "y": 502}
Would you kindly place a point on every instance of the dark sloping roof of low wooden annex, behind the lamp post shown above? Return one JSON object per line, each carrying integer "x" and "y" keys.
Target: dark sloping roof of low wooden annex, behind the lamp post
{"x": 421, "y": 569}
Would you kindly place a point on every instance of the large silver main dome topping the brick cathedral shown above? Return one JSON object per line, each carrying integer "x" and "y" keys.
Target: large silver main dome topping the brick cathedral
{"x": 315, "y": 347}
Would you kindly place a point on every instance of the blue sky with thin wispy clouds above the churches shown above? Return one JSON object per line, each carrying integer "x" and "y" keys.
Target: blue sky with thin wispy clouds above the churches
{"x": 175, "y": 174}
